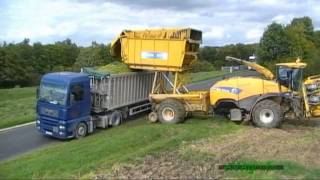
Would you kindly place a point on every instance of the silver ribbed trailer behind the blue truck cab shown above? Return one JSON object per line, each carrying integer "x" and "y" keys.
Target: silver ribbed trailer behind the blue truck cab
{"x": 114, "y": 97}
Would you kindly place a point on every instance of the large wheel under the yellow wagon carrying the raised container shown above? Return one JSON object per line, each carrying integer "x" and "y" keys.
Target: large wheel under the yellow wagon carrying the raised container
{"x": 171, "y": 111}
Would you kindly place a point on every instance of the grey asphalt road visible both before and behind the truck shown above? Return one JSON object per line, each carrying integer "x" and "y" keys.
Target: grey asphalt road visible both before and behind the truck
{"x": 24, "y": 139}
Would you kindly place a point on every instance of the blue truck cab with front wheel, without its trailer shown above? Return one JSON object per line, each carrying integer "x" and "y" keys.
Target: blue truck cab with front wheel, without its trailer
{"x": 63, "y": 105}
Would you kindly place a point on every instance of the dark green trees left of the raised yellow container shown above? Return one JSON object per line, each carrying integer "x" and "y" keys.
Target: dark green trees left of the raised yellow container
{"x": 23, "y": 64}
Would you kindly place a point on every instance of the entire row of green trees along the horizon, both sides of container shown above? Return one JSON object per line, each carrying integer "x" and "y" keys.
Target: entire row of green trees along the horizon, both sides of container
{"x": 23, "y": 63}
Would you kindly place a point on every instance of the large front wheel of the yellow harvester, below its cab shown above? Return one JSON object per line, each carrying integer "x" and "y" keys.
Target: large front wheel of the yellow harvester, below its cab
{"x": 267, "y": 114}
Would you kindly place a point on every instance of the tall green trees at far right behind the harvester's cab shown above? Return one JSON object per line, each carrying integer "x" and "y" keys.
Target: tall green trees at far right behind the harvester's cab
{"x": 285, "y": 43}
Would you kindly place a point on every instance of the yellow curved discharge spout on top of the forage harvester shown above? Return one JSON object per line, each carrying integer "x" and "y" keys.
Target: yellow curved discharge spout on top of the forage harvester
{"x": 262, "y": 70}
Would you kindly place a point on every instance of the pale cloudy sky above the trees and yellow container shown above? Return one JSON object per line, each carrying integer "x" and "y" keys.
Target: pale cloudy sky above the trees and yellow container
{"x": 83, "y": 21}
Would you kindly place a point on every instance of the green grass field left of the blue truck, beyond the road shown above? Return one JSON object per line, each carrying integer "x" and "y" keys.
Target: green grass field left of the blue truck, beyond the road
{"x": 17, "y": 106}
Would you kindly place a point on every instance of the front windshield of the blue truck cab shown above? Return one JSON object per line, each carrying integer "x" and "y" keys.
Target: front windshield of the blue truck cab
{"x": 53, "y": 93}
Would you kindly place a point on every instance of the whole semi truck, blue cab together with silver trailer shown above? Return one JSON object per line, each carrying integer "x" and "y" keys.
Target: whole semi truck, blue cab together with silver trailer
{"x": 73, "y": 104}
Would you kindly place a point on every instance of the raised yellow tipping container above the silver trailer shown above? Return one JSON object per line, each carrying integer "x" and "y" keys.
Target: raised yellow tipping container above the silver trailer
{"x": 158, "y": 49}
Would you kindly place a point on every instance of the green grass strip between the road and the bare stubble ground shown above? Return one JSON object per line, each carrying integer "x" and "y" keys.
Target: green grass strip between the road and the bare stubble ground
{"x": 126, "y": 143}
